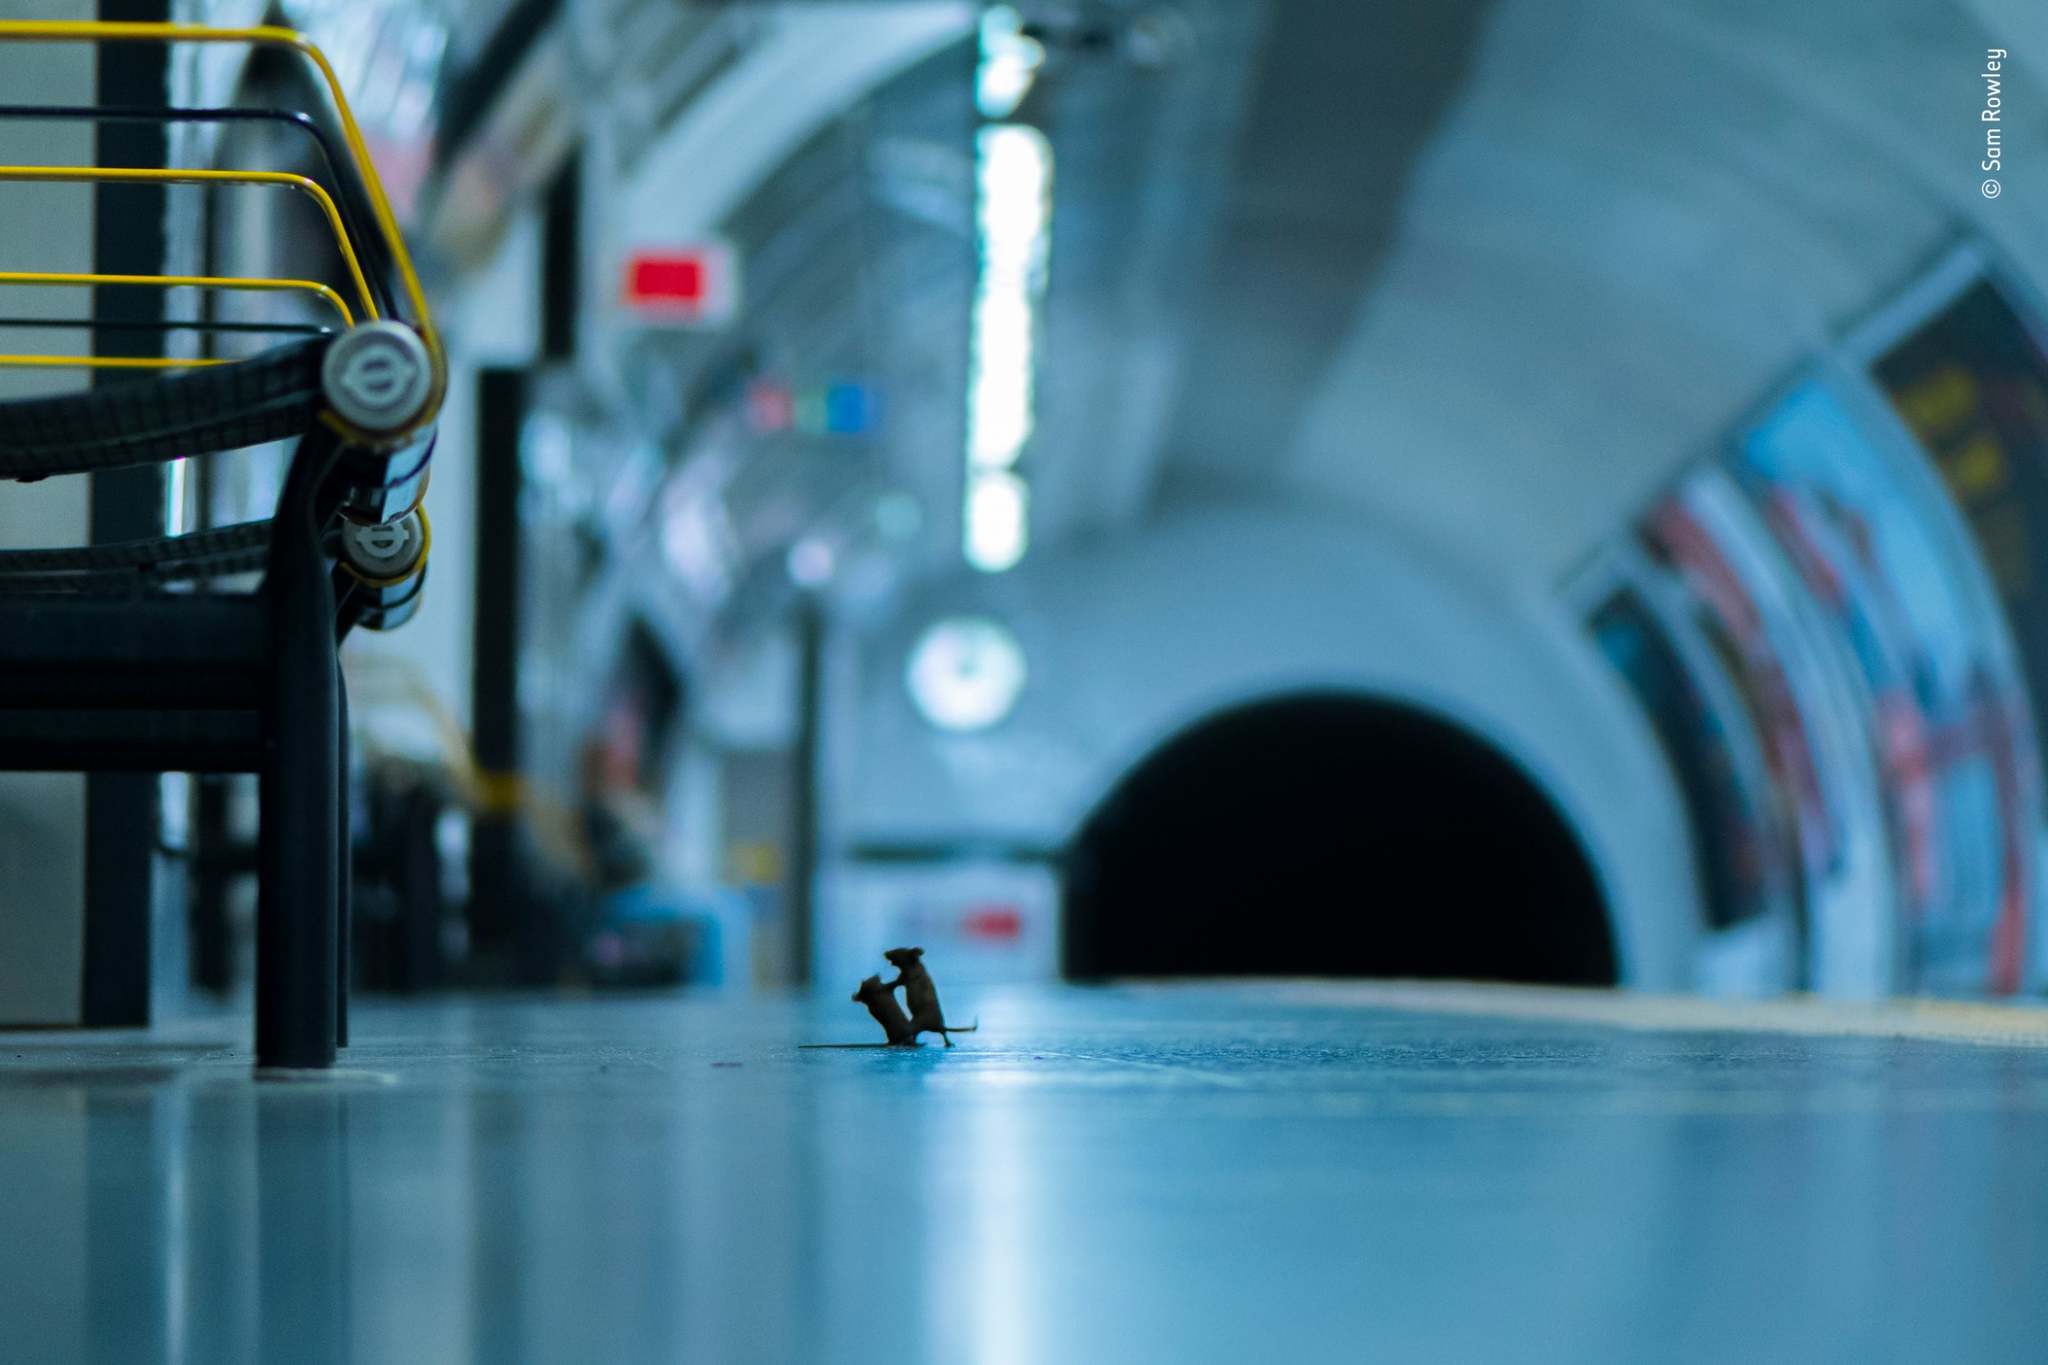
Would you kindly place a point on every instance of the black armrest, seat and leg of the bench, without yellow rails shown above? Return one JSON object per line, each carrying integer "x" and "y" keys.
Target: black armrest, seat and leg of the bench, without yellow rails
{"x": 112, "y": 672}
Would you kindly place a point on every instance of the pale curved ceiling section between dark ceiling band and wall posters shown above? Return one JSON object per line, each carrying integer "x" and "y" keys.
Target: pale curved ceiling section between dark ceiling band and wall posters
{"x": 1635, "y": 222}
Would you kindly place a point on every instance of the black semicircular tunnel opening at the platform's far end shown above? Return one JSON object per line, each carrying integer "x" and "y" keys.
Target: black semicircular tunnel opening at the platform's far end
{"x": 1332, "y": 836}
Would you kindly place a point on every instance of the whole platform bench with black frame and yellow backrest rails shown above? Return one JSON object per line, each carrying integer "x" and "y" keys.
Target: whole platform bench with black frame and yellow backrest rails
{"x": 110, "y": 668}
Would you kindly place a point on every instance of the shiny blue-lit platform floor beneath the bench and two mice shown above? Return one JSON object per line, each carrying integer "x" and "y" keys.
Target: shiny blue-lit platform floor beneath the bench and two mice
{"x": 1152, "y": 1174}
